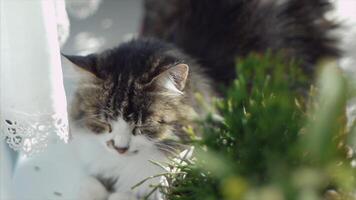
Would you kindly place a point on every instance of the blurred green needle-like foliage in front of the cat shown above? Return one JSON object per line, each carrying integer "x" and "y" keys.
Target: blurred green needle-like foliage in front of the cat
{"x": 276, "y": 137}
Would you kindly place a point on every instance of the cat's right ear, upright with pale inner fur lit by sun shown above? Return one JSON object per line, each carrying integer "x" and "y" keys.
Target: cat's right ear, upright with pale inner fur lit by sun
{"x": 174, "y": 78}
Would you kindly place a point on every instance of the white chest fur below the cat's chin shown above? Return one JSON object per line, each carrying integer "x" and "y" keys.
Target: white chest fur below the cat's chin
{"x": 128, "y": 168}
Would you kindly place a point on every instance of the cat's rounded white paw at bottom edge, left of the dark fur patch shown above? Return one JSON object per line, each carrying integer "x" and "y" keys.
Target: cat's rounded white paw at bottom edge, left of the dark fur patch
{"x": 92, "y": 189}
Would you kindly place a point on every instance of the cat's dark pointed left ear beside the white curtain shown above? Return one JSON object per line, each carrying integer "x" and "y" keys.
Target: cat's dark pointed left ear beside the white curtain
{"x": 87, "y": 63}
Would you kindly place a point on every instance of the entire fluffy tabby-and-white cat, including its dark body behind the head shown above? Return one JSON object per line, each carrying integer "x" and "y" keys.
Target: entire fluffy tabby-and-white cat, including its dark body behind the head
{"x": 136, "y": 100}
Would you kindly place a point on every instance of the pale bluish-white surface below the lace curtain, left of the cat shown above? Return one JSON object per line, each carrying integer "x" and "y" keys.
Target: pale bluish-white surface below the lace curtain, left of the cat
{"x": 53, "y": 174}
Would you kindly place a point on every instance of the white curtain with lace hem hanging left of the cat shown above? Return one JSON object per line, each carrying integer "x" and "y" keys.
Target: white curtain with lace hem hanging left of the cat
{"x": 32, "y": 99}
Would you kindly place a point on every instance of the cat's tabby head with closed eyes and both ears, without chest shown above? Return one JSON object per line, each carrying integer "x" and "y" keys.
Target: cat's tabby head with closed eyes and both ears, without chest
{"x": 133, "y": 94}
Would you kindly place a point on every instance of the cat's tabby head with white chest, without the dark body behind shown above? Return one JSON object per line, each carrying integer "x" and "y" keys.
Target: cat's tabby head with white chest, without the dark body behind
{"x": 131, "y": 108}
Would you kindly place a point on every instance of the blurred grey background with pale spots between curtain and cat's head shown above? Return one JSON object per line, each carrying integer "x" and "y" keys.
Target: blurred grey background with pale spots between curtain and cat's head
{"x": 96, "y": 25}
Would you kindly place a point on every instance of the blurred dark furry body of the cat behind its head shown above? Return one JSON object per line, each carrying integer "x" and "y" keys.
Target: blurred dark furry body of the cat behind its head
{"x": 216, "y": 33}
